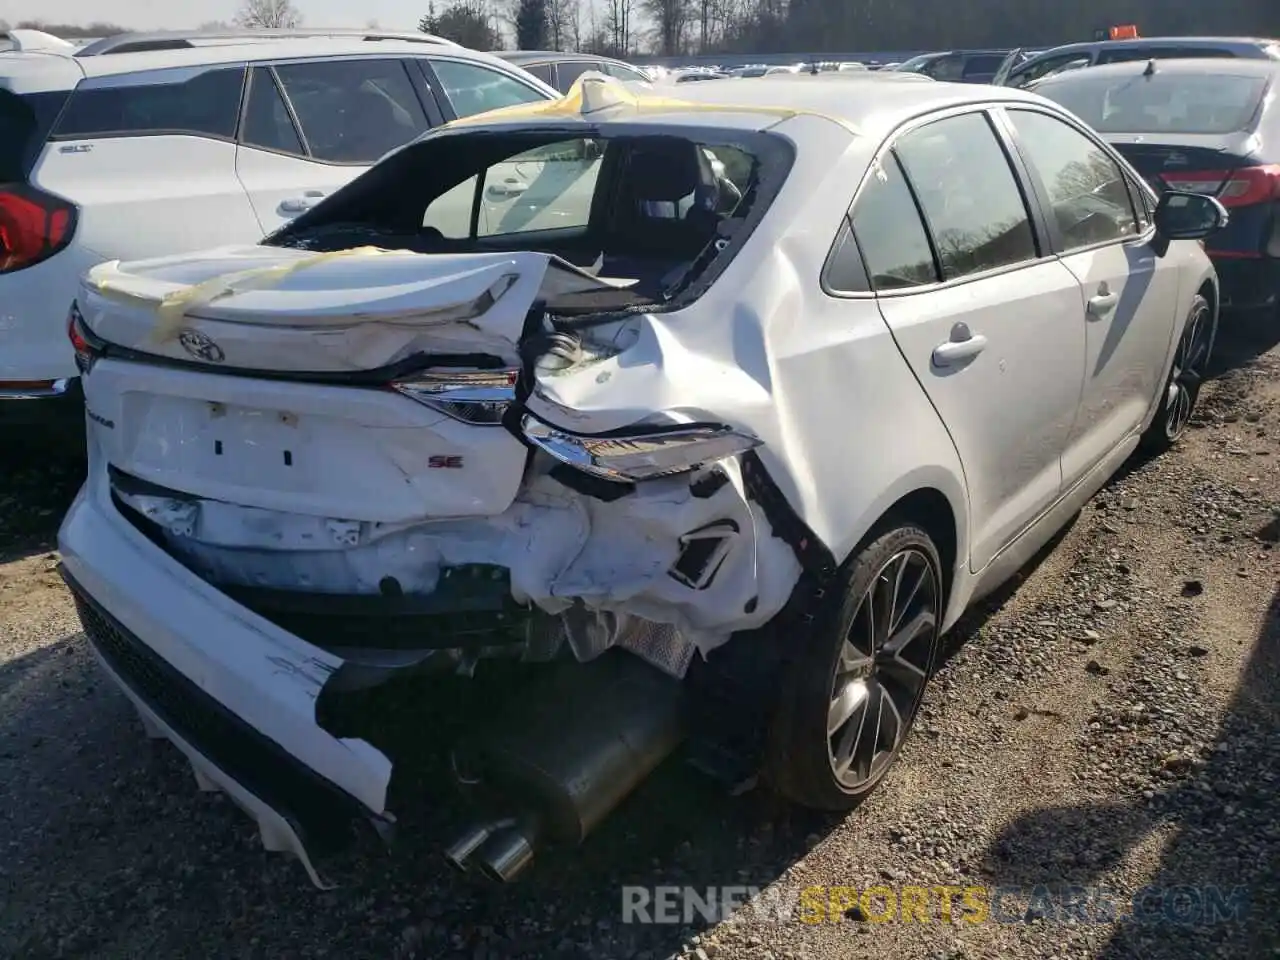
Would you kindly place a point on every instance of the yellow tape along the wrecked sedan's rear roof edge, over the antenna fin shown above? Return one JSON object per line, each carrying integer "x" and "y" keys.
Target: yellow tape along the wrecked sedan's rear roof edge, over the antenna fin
{"x": 605, "y": 95}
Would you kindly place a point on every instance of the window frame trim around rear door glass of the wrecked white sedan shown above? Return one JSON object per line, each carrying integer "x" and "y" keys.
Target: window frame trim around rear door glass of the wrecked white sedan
{"x": 1031, "y": 200}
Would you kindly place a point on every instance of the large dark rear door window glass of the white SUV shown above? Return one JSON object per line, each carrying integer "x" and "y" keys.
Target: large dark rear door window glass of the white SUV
{"x": 353, "y": 111}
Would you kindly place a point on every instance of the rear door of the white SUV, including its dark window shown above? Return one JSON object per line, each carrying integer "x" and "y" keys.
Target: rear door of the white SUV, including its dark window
{"x": 312, "y": 126}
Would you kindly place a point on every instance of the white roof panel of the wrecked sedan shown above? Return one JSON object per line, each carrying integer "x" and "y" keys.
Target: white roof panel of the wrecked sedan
{"x": 872, "y": 107}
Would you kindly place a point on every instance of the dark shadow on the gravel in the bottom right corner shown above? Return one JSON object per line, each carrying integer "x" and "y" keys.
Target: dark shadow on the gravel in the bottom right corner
{"x": 1219, "y": 879}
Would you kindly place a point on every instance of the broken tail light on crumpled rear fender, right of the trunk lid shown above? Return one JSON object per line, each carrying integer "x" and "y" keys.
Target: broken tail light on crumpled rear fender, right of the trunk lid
{"x": 639, "y": 456}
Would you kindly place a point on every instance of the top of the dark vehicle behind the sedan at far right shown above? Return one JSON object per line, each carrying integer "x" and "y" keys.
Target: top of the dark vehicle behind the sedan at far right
{"x": 1104, "y": 52}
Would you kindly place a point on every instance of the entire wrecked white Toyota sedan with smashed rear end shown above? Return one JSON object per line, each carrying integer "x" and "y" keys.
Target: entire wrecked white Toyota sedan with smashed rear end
{"x": 716, "y": 414}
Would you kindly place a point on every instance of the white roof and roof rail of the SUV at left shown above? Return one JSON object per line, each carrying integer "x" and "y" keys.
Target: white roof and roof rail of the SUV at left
{"x": 231, "y": 53}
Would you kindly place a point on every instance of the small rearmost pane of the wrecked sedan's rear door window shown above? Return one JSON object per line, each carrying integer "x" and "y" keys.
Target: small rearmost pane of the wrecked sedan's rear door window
{"x": 890, "y": 232}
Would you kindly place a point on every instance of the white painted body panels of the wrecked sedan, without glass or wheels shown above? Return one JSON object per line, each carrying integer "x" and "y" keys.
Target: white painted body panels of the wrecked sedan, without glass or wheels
{"x": 839, "y": 392}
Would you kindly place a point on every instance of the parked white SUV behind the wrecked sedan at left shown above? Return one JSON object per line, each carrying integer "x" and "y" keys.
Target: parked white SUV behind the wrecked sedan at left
{"x": 127, "y": 156}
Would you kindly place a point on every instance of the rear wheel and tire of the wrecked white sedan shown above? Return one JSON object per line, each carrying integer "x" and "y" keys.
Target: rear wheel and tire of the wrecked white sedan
{"x": 803, "y": 756}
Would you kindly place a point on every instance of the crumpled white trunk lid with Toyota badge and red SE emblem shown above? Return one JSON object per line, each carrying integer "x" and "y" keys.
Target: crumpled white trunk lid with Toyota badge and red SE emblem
{"x": 276, "y": 378}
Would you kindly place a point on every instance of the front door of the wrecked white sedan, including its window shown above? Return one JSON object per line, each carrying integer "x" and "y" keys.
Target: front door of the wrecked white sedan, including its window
{"x": 1130, "y": 295}
